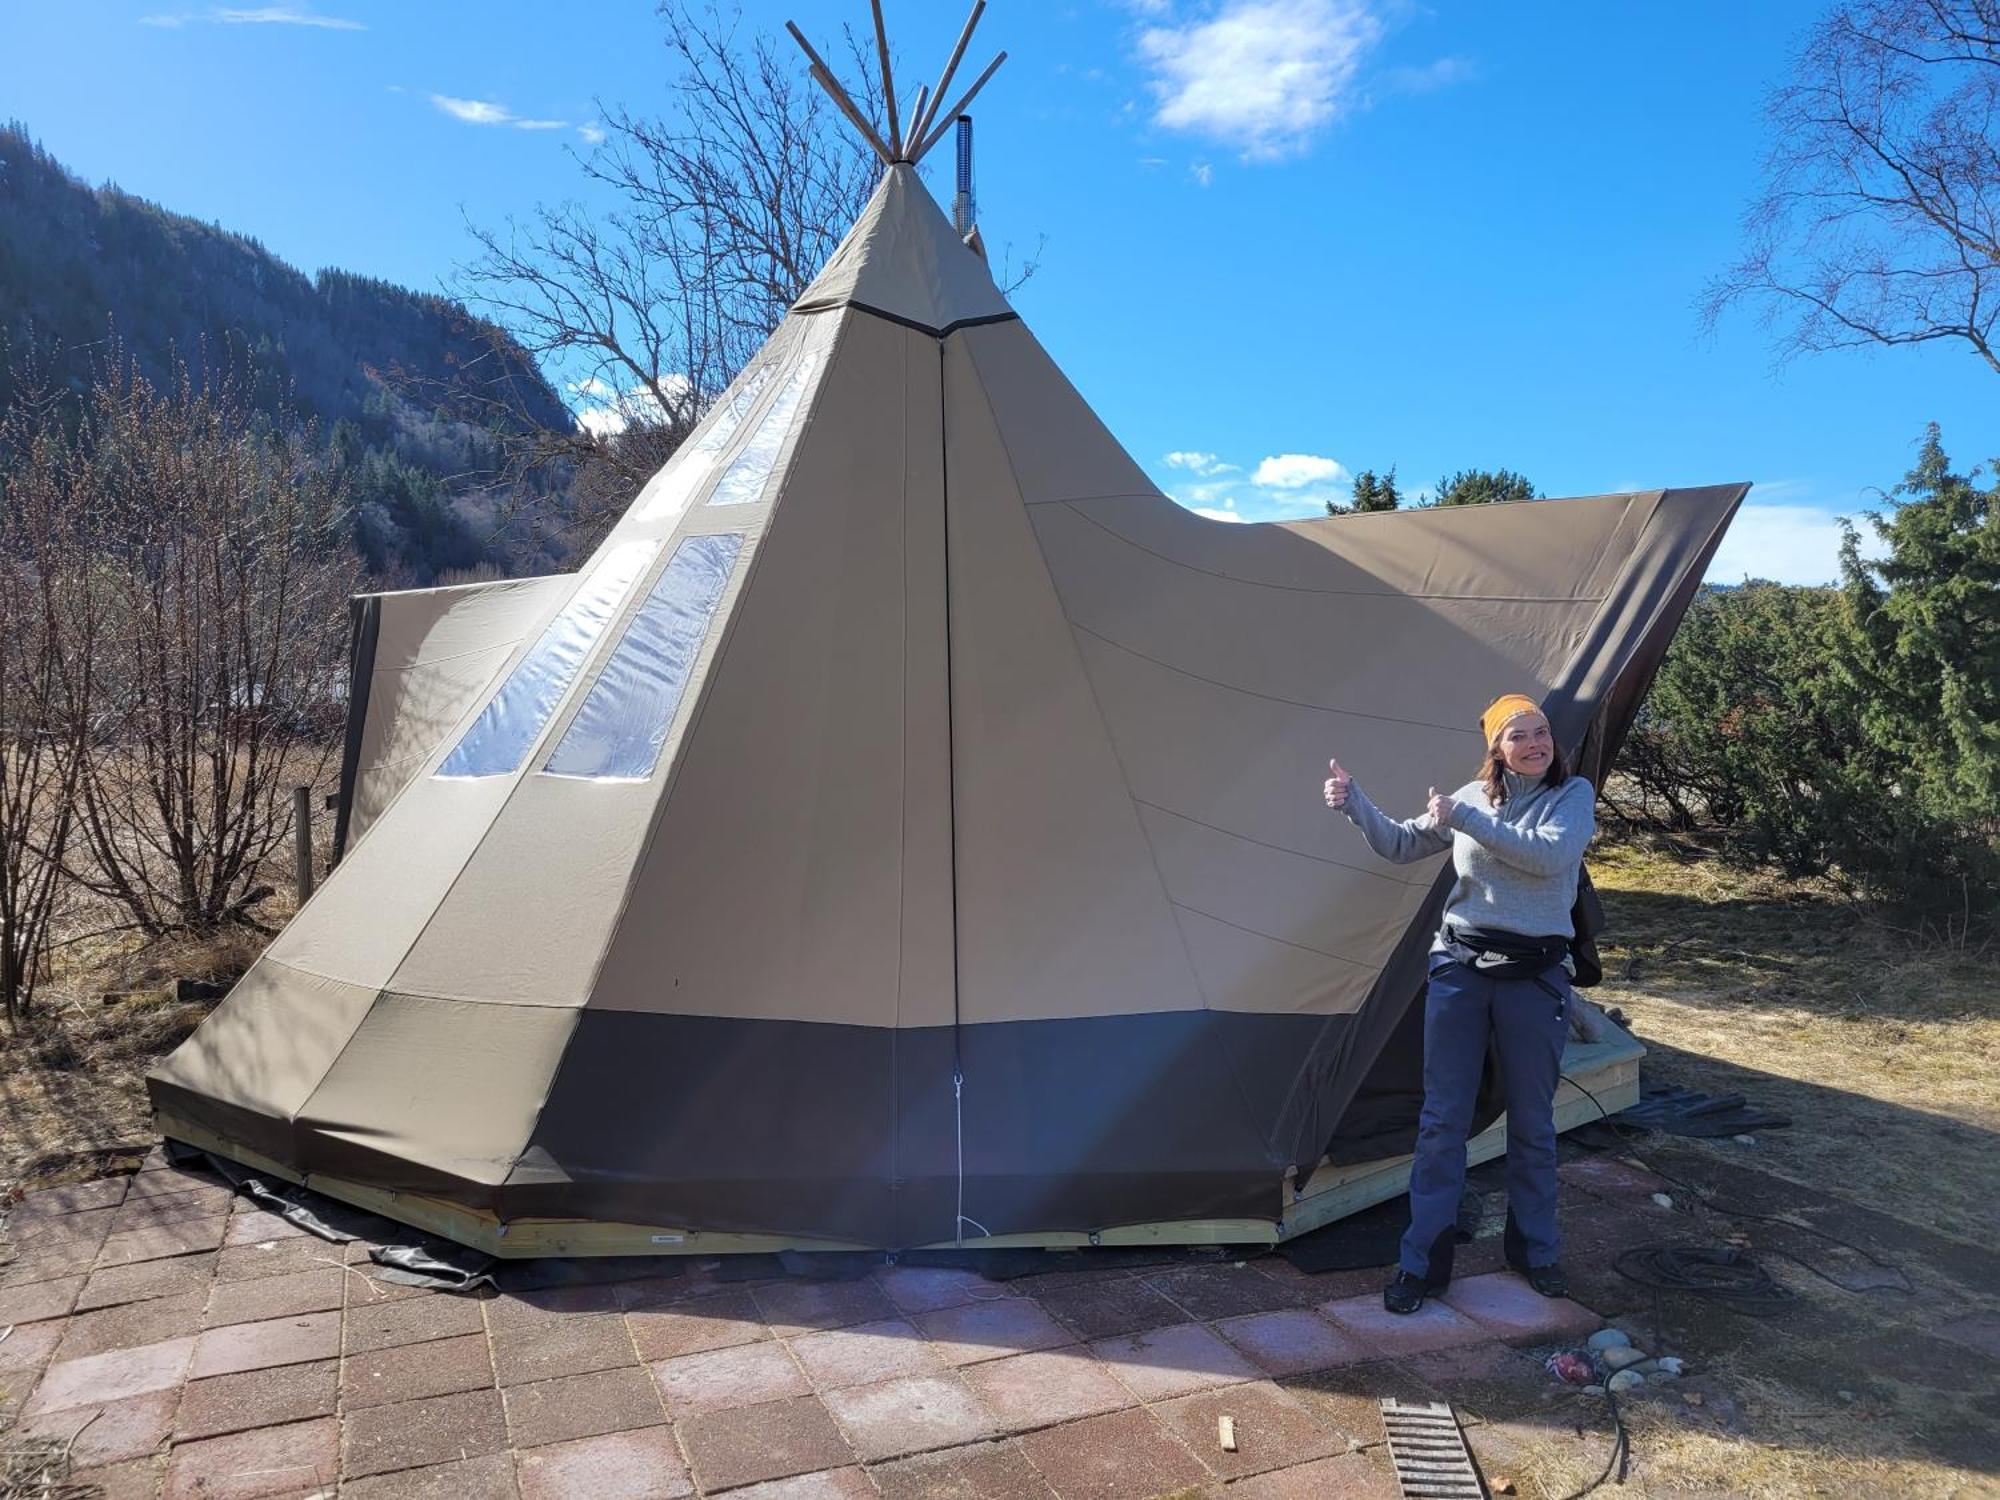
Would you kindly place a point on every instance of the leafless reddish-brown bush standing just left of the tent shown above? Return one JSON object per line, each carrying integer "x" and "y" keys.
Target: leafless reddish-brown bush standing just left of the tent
{"x": 225, "y": 575}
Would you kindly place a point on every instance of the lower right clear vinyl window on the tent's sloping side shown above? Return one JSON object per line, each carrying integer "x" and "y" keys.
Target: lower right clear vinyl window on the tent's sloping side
{"x": 619, "y": 733}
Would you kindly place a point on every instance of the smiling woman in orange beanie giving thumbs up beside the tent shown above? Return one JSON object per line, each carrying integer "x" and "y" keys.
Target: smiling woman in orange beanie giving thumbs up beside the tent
{"x": 1497, "y": 971}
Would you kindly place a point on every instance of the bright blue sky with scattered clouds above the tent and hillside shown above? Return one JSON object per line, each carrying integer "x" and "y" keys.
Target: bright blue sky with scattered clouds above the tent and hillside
{"x": 1285, "y": 241}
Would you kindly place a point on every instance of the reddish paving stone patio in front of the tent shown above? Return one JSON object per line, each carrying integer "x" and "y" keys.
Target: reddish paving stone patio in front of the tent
{"x": 197, "y": 1347}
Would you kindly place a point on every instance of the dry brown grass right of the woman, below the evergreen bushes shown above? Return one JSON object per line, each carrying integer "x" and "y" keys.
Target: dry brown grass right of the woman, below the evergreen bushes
{"x": 1885, "y": 1049}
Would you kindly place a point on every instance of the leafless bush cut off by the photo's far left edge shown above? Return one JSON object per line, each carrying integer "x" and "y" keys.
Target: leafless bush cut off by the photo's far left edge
{"x": 49, "y": 619}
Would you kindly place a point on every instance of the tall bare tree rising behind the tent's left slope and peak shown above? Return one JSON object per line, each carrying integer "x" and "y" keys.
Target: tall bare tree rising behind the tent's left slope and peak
{"x": 727, "y": 205}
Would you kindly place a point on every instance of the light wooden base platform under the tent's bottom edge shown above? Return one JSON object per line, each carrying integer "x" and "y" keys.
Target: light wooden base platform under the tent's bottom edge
{"x": 1599, "y": 1079}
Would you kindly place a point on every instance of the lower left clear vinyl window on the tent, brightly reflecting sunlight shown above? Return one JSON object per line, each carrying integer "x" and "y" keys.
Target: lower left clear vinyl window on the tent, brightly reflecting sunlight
{"x": 513, "y": 721}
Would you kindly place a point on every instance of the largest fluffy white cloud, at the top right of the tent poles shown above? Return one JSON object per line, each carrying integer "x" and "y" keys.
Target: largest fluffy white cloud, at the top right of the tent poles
{"x": 1263, "y": 77}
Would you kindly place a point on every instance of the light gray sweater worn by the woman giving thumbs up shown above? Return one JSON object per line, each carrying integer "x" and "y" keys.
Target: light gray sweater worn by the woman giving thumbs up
{"x": 1517, "y": 865}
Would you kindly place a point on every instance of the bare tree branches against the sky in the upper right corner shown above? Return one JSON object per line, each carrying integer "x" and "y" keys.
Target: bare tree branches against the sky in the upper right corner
{"x": 1881, "y": 211}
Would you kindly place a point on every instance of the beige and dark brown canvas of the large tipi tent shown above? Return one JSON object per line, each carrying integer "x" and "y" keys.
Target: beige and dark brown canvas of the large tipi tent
{"x": 905, "y": 829}
